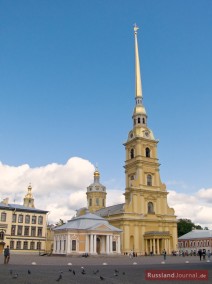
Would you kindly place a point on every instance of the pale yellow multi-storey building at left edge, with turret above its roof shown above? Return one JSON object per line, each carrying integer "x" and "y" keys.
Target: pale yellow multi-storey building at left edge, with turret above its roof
{"x": 22, "y": 227}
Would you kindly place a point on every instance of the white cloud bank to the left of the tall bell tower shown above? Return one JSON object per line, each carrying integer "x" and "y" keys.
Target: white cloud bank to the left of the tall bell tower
{"x": 60, "y": 189}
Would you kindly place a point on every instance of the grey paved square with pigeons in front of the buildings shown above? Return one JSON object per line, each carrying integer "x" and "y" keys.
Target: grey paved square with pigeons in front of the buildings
{"x": 47, "y": 269}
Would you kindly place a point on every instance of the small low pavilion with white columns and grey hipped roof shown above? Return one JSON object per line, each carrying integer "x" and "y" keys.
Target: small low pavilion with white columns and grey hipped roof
{"x": 87, "y": 234}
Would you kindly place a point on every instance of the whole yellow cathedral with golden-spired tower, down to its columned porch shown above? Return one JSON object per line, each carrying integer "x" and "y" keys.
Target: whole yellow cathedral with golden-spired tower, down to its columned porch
{"x": 147, "y": 222}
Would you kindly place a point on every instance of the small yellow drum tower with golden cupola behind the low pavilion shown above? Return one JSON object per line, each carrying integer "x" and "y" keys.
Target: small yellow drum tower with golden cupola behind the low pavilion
{"x": 96, "y": 194}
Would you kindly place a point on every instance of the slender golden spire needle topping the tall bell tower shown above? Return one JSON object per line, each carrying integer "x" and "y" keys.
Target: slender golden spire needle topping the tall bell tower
{"x": 138, "y": 86}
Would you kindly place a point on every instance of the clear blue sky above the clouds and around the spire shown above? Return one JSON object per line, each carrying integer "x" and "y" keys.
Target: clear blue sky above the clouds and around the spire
{"x": 67, "y": 84}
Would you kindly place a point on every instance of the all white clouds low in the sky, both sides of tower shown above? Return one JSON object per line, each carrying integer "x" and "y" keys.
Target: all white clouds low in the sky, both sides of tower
{"x": 61, "y": 189}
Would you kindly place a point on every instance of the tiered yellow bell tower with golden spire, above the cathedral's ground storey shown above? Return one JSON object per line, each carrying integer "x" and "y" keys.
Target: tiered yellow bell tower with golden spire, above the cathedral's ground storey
{"x": 141, "y": 164}
